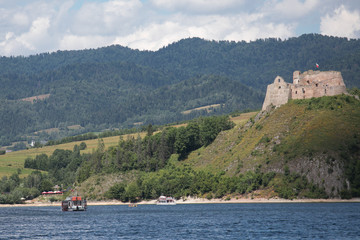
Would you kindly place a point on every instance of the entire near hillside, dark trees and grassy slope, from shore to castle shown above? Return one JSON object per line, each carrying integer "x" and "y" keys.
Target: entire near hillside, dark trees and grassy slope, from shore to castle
{"x": 303, "y": 149}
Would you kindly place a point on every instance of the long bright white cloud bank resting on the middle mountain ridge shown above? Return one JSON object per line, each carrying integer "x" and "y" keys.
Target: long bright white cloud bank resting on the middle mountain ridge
{"x": 215, "y": 27}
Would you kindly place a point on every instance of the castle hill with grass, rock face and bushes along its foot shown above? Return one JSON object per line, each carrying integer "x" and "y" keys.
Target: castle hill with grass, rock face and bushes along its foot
{"x": 304, "y": 149}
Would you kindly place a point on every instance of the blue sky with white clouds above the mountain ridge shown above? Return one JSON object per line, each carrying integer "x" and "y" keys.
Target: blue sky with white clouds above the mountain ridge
{"x": 30, "y": 27}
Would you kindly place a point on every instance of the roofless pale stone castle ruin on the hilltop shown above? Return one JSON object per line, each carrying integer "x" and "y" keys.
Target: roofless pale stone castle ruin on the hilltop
{"x": 305, "y": 85}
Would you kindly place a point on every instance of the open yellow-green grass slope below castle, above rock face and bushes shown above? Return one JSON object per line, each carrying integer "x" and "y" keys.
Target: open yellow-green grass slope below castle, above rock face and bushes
{"x": 299, "y": 129}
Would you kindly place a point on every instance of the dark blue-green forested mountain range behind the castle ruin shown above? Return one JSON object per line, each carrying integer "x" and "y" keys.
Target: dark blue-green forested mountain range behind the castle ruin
{"x": 116, "y": 86}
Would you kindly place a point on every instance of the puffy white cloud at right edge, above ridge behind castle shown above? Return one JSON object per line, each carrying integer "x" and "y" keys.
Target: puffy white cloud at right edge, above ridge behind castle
{"x": 342, "y": 23}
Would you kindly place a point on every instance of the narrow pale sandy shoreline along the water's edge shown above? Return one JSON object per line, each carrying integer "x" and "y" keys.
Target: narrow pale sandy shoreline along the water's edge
{"x": 191, "y": 201}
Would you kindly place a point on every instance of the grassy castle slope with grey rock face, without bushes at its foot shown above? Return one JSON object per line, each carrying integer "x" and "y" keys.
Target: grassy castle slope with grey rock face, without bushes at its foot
{"x": 317, "y": 138}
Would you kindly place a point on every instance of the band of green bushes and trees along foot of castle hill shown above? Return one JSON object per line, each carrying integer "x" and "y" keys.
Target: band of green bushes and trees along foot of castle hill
{"x": 183, "y": 181}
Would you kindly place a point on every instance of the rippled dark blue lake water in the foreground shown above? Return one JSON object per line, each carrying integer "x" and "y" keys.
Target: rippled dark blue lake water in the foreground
{"x": 195, "y": 221}
